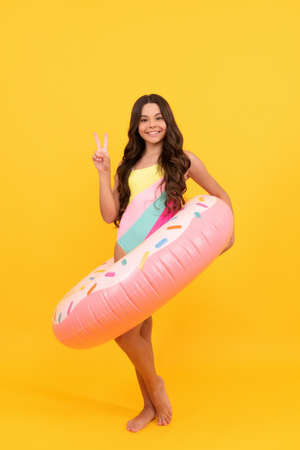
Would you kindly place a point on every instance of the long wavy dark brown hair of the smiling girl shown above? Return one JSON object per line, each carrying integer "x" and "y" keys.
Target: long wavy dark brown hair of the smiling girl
{"x": 172, "y": 161}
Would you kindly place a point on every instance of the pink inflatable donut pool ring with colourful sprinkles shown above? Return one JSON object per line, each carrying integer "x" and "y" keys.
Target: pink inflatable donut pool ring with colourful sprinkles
{"x": 117, "y": 296}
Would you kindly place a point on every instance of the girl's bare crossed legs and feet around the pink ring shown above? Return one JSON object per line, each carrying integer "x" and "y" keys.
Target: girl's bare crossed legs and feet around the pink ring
{"x": 138, "y": 346}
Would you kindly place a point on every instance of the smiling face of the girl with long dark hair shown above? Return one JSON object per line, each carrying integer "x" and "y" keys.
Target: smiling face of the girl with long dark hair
{"x": 152, "y": 120}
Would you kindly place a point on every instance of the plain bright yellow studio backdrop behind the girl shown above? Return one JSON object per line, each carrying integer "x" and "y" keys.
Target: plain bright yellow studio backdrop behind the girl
{"x": 228, "y": 344}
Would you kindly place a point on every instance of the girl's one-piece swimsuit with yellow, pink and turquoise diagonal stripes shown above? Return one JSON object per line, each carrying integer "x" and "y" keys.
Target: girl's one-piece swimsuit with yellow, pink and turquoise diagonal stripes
{"x": 146, "y": 211}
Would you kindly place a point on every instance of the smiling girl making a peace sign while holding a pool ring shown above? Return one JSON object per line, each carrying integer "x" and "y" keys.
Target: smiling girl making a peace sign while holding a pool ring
{"x": 148, "y": 189}
